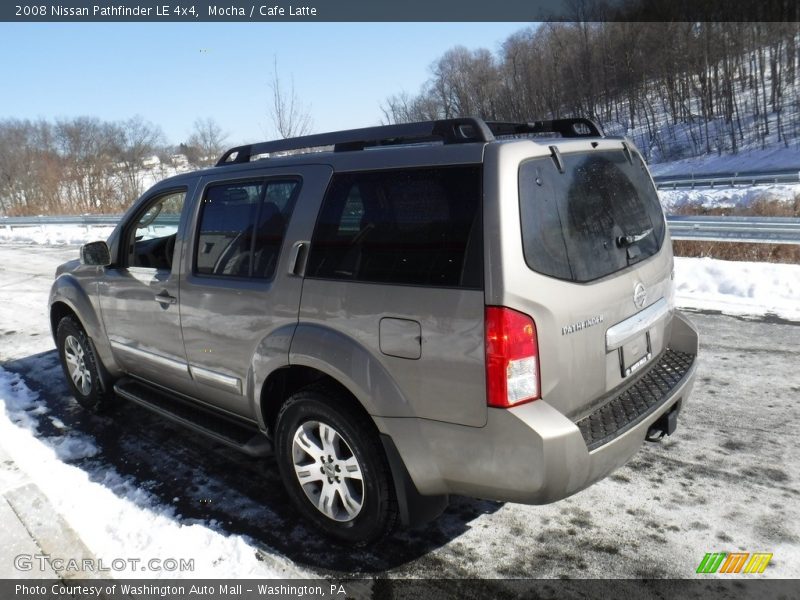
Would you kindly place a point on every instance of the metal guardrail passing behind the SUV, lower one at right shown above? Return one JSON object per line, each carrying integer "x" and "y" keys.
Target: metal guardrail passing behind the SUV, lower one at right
{"x": 768, "y": 230}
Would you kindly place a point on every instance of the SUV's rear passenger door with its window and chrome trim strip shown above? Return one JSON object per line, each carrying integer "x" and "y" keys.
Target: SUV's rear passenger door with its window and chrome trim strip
{"x": 239, "y": 303}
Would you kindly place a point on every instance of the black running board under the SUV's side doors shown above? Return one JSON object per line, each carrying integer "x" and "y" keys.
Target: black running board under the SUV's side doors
{"x": 220, "y": 427}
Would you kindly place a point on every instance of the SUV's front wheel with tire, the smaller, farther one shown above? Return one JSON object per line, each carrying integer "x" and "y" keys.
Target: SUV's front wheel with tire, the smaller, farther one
{"x": 81, "y": 366}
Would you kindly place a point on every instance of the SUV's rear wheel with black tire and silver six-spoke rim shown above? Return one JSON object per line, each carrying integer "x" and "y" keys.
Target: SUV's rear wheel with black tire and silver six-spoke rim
{"x": 346, "y": 487}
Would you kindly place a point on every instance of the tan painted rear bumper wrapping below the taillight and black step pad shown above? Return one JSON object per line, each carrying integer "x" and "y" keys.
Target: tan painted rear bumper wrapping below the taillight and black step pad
{"x": 530, "y": 454}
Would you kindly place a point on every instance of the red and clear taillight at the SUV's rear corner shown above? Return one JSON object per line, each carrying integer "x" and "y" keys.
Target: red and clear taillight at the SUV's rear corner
{"x": 512, "y": 358}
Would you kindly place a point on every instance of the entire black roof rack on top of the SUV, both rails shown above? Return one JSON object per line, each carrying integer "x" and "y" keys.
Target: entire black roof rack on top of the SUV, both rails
{"x": 447, "y": 131}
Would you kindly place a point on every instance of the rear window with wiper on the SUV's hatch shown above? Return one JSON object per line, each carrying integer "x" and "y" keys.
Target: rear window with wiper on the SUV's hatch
{"x": 598, "y": 217}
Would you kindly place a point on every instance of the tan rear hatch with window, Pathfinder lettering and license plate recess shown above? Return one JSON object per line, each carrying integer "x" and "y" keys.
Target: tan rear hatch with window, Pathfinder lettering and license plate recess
{"x": 591, "y": 264}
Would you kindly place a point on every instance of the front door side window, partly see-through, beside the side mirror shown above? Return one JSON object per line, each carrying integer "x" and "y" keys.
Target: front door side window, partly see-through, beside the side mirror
{"x": 152, "y": 240}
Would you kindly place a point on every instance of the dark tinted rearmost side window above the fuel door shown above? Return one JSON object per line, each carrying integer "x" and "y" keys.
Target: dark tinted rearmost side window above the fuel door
{"x": 411, "y": 226}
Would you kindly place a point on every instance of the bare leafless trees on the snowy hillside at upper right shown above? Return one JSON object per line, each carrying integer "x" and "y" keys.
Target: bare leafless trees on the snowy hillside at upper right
{"x": 678, "y": 89}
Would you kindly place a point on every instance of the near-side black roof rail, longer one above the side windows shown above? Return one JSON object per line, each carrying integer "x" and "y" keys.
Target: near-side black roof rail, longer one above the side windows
{"x": 447, "y": 131}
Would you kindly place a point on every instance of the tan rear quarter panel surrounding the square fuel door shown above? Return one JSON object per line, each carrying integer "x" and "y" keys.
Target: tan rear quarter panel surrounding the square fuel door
{"x": 447, "y": 382}
